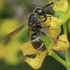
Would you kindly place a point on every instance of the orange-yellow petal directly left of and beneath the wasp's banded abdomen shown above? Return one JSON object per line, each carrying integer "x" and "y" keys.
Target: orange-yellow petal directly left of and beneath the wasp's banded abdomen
{"x": 28, "y": 49}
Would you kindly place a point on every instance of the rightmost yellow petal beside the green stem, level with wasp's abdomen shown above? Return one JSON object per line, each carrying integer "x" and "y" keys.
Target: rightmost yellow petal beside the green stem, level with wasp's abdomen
{"x": 62, "y": 43}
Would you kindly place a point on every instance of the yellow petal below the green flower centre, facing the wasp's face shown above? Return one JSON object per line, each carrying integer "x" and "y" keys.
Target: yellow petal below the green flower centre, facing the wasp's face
{"x": 55, "y": 22}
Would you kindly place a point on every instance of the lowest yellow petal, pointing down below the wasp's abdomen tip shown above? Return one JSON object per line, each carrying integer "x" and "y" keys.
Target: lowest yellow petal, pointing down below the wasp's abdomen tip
{"x": 36, "y": 62}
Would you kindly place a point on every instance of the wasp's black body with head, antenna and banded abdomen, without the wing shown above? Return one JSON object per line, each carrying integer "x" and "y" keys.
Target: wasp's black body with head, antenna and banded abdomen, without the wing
{"x": 35, "y": 24}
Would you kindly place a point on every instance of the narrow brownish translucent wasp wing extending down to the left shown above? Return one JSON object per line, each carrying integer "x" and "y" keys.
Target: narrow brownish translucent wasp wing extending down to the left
{"x": 13, "y": 33}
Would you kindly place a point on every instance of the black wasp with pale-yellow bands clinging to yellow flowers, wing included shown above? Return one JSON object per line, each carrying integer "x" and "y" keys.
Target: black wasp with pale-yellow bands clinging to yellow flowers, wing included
{"x": 35, "y": 23}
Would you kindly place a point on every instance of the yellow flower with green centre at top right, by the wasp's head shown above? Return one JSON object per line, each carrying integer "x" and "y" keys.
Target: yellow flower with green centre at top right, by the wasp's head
{"x": 61, "y": 15}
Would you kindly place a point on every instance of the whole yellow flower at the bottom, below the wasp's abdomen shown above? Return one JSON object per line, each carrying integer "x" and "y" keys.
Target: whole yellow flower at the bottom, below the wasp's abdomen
{"x": 36, "y": 62}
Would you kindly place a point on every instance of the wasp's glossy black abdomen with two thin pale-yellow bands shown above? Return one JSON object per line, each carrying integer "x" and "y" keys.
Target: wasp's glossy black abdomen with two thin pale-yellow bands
{"x": 37, "y": 43}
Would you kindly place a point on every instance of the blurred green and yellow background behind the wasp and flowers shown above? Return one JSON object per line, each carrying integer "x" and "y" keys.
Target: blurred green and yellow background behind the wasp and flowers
{"x": 14, "y": 13}
